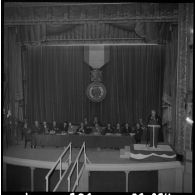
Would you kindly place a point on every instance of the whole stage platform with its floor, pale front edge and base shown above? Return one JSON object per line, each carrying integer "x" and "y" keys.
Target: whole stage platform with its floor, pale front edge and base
{"x": 102, "y": 161}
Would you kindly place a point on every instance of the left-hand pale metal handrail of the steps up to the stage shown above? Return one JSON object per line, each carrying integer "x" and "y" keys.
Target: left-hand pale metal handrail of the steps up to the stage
{"x": 59, "y": 161}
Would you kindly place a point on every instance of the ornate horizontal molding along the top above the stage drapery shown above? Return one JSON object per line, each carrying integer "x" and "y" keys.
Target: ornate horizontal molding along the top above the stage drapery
{"x": 32, "y": 13}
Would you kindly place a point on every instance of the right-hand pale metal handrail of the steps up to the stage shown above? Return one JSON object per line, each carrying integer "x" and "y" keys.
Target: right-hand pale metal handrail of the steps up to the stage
{"x": 76, "y": 165}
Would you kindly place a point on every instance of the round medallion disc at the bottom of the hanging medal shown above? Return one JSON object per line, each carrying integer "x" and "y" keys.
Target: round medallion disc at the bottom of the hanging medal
{"x": 96, "y": 91}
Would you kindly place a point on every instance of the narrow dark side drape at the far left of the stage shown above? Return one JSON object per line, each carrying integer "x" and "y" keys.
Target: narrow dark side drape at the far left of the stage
{"x": 12, "y": 83}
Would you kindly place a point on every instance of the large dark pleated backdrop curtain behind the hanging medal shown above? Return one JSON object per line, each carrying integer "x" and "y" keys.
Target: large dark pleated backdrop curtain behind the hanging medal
{"x": 57, "y": 78}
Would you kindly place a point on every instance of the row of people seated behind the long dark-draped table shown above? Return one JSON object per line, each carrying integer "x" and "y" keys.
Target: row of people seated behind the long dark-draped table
{"x": 94, "y": 127}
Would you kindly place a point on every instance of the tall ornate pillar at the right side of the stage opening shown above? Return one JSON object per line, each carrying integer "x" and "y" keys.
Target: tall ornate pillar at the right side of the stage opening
{"x": 185, "y": 14}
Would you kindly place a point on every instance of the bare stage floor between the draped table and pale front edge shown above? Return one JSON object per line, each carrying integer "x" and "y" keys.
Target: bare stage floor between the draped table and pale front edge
{"x": 51, "y": 154}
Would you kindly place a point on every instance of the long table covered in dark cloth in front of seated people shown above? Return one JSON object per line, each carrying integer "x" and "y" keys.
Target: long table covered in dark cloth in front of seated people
{"x": 91, "y": 141}
